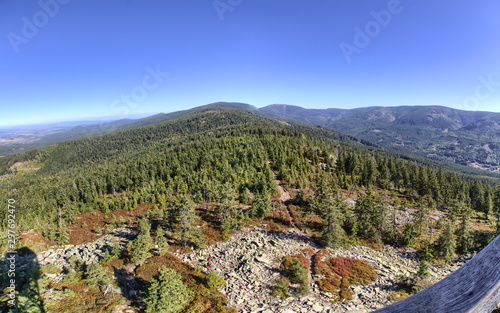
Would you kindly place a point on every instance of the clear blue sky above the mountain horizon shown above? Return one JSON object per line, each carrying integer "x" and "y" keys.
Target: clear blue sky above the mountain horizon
{"x": 76, "y": 60}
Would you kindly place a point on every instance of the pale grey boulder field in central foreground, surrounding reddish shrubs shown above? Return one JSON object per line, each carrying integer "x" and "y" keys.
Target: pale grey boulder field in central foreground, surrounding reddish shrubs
{"x": 249, "y": 262}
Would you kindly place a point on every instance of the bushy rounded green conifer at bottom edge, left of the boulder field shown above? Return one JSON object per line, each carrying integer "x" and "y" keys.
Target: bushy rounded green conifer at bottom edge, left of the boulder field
{"x": 166, "y": 293}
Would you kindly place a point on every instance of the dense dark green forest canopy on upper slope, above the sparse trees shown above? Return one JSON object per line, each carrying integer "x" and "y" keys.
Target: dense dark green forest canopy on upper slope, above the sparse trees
{"x": 197, "y": 154}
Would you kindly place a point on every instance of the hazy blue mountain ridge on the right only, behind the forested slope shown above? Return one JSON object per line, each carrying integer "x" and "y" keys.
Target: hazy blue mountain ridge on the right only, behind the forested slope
{"x": 440, "y": 133}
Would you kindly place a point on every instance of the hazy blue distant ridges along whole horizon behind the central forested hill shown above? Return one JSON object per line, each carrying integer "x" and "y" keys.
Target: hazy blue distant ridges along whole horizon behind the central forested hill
{"x": 435, "y": 132}
